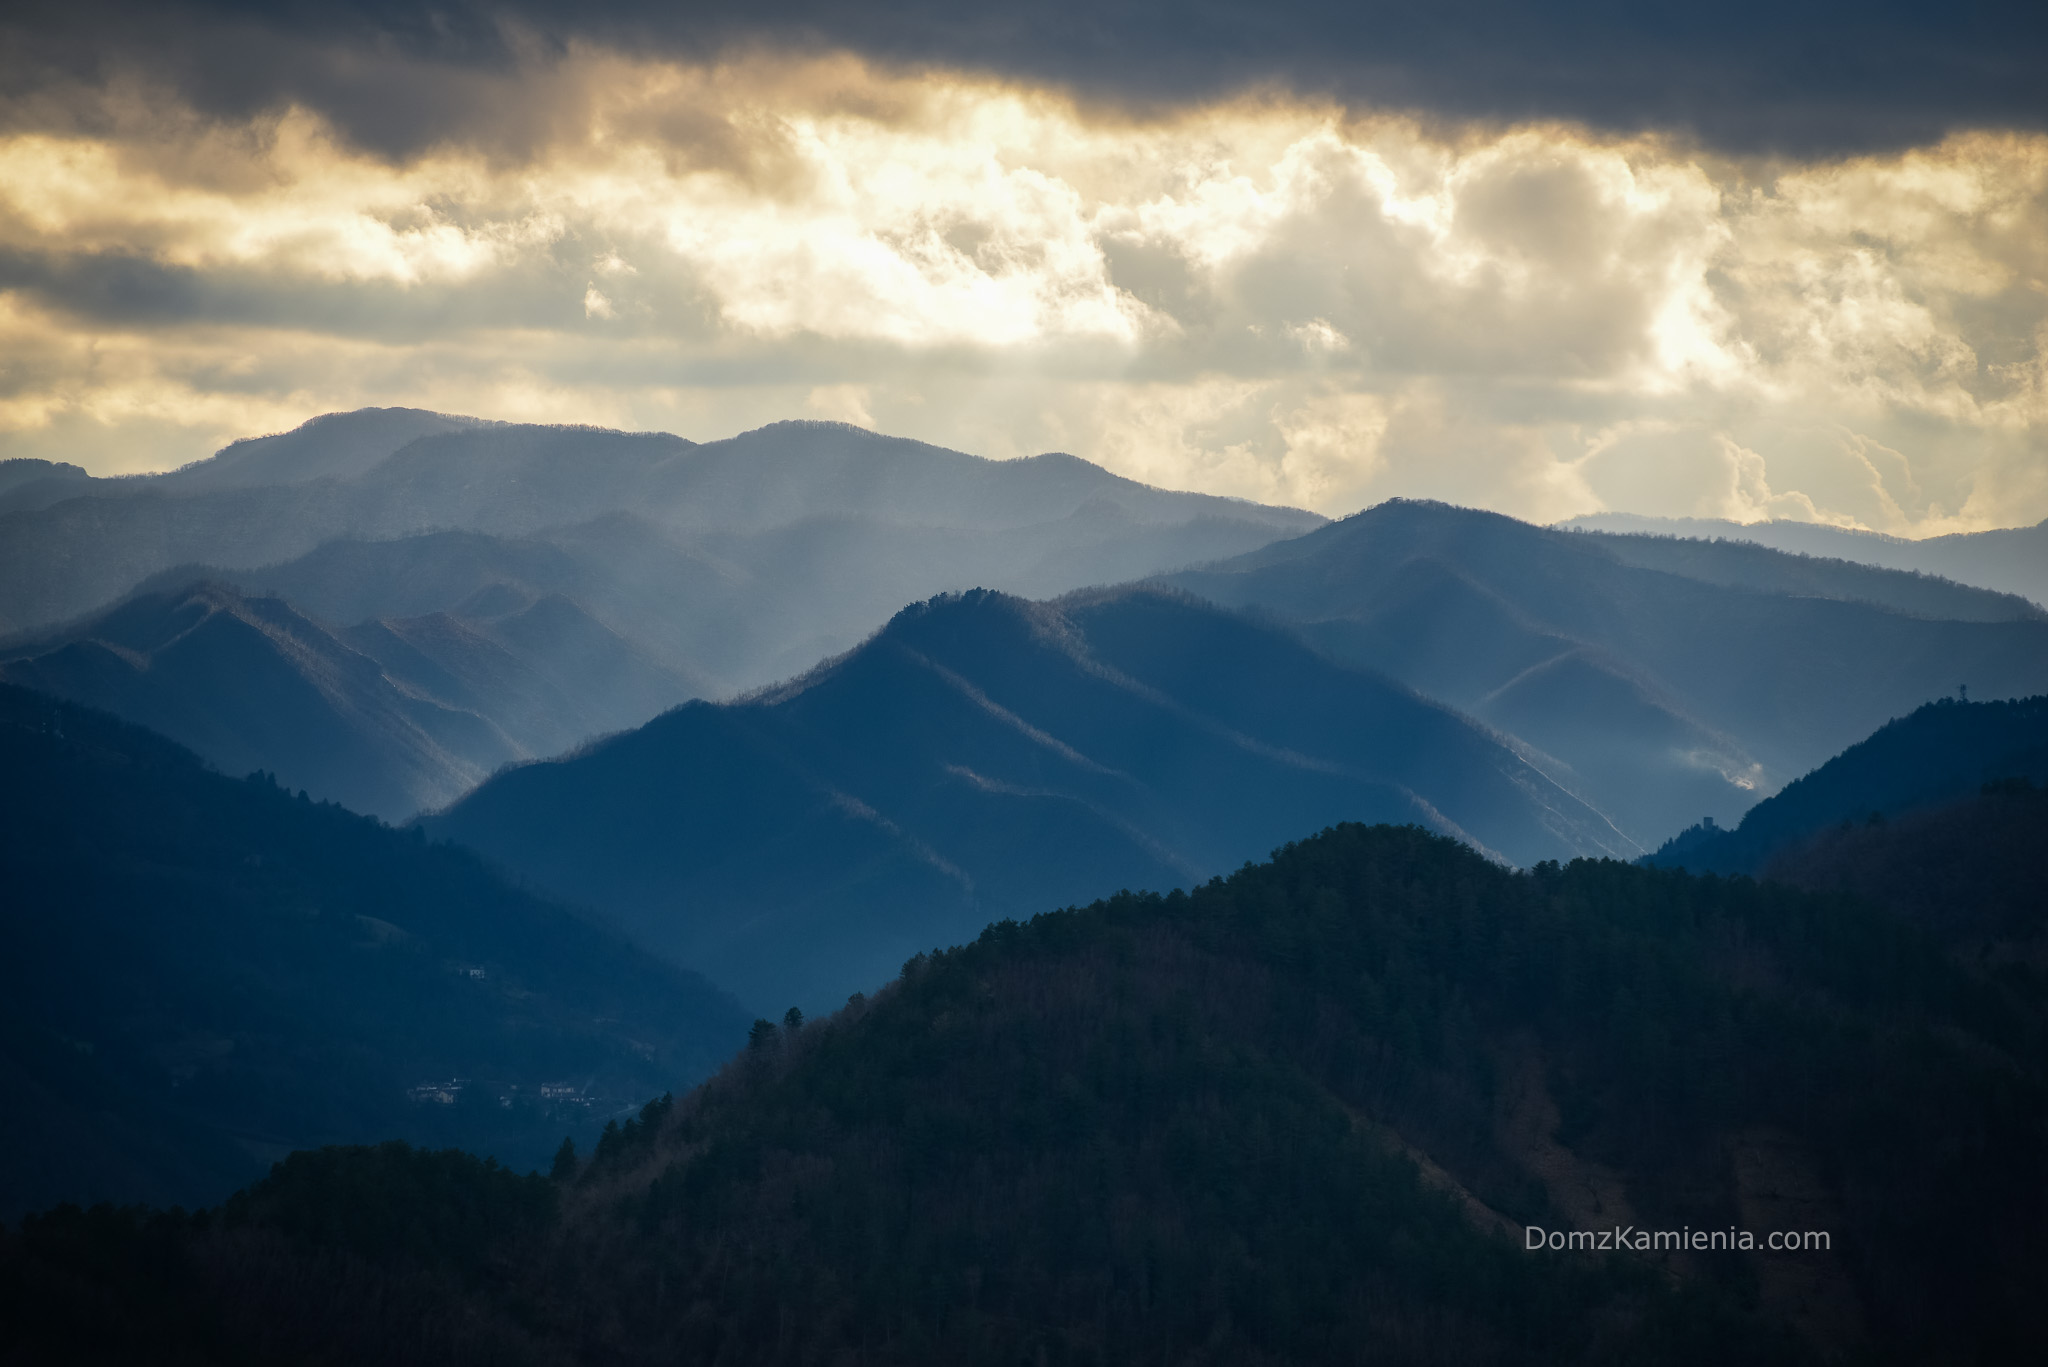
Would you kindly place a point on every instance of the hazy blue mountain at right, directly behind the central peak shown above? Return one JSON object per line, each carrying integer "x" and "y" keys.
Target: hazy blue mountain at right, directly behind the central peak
{"x": 1658, "y": 694}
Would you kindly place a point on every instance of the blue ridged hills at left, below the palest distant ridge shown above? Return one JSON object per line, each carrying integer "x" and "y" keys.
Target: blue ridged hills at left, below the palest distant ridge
{"x": 386, "y": 716}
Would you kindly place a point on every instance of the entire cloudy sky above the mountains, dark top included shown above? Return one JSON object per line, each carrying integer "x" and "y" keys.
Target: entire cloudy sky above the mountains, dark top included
{"x": 1762, "y": 261}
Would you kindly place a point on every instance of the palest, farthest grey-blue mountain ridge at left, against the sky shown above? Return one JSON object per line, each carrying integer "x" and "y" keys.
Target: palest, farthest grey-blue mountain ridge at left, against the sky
{"x": 280, "y": 499}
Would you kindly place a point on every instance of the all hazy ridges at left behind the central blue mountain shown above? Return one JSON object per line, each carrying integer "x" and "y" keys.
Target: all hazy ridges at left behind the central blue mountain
{"x": 392, "y": 604}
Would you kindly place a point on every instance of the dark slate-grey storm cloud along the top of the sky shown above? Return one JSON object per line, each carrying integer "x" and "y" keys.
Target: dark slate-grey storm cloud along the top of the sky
{"x": 1754, "y": 75}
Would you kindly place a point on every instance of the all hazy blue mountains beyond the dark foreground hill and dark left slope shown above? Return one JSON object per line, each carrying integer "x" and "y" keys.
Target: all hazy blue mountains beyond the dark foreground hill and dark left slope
{"x": 468, "y": 595}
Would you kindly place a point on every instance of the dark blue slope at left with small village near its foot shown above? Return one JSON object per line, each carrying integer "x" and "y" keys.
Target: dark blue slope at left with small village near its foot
{"x": 204, "y": 972}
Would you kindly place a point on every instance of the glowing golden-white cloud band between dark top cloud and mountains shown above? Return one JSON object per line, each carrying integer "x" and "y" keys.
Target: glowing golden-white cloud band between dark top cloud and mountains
{"x": 1269, "y": 298}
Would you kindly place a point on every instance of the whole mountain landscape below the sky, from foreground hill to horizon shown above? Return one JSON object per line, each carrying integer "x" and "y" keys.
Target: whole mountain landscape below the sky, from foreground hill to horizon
{"x": 1273, "y": 1116}
